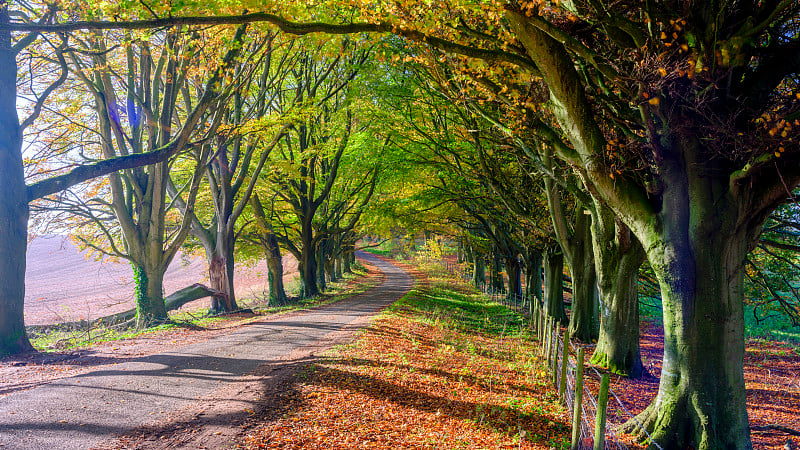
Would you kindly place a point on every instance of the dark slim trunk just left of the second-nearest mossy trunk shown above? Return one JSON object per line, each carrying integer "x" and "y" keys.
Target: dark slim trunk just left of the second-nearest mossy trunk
{"x": 584, "y": 322}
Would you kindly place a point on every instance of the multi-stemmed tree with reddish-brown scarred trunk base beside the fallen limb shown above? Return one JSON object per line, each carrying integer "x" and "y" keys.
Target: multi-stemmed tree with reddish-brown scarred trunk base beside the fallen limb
{"x": 252, "y": 128}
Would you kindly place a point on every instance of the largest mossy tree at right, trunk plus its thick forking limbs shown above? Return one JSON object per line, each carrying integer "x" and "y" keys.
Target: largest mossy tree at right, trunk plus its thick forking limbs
{"x": 696, "y": 219}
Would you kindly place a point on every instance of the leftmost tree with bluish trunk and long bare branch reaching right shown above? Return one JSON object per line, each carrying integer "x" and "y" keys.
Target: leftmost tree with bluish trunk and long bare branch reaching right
{"x": 15, "y": 199}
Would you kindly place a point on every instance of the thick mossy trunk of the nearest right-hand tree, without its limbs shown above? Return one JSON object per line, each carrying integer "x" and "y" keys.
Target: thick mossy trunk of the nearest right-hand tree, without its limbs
{"x": 697, "y": 249}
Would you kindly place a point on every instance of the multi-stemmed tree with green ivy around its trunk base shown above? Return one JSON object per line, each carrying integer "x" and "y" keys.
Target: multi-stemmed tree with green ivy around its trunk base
{"x": 142, "y": 229}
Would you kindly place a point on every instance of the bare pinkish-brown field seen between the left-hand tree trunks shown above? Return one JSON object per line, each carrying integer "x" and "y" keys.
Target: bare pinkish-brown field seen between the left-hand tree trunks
{"x": 63, "y": 284}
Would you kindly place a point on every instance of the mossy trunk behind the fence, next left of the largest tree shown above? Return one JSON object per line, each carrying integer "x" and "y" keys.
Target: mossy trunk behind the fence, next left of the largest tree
{"x": 618, "y": 256}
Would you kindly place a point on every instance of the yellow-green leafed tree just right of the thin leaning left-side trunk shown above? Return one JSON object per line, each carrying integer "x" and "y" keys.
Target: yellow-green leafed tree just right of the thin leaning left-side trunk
{"x": 309, "y": 156}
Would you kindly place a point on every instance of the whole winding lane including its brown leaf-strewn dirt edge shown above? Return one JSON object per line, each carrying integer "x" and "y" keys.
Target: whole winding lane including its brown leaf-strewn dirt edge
{"x": 204, "y": 384}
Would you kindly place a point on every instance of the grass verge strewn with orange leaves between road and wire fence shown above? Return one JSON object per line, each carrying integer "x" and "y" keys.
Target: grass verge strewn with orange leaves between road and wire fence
{"x": 441, "y": 368}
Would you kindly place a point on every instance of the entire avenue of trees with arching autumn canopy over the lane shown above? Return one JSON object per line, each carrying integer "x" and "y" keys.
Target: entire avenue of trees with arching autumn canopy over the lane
{"x": 603, "y": 142}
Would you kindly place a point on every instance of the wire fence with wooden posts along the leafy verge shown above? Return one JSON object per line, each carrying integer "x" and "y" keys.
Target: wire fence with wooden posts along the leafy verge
{"x": 567, "y": 375}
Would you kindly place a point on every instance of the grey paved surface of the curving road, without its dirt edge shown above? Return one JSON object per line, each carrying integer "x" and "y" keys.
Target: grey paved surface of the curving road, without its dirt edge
{"x": 85, "y": 411}
